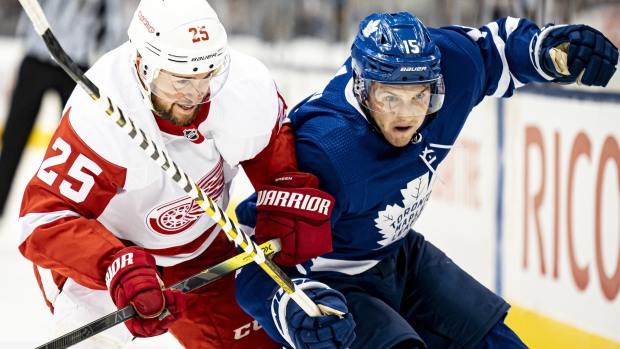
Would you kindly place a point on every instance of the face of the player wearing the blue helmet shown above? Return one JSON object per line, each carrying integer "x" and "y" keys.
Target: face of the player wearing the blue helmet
{"x": 398, "y": 110}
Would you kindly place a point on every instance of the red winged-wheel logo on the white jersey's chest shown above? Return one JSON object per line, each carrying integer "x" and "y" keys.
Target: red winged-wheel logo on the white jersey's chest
{"x": 181, "y": 214}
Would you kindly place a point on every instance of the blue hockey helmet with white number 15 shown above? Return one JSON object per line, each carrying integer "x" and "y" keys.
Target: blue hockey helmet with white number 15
{"x": 396, "y": 49}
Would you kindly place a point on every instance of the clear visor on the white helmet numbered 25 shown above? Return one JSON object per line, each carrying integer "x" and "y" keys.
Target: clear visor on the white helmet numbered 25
{"x": 190, "y": 89}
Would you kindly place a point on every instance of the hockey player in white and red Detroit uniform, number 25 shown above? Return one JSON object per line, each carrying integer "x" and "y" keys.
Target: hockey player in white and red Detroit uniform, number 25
{"x": 105, "y": 226}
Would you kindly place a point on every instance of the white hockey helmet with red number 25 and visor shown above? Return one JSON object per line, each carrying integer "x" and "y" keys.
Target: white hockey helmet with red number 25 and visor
{"x": 183, "y": 49}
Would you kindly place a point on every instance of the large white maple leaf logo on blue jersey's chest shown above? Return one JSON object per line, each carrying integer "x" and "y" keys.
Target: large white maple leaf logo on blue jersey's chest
{"x": 395, "y": 221}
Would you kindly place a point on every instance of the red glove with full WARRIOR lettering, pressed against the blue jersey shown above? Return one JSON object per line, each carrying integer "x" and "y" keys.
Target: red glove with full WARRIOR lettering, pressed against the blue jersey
{"x": 294, "y": 210}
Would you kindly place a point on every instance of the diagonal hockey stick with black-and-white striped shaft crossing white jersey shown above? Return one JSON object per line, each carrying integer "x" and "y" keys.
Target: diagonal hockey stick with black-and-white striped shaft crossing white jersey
{"x": 36, "y": 15}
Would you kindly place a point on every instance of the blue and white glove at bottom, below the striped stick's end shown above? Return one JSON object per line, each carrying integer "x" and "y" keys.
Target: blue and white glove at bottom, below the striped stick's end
{"x": 325, "y": 332}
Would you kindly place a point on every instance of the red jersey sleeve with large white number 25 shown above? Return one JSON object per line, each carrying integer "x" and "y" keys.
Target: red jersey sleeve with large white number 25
{"x": 59, "y": 229}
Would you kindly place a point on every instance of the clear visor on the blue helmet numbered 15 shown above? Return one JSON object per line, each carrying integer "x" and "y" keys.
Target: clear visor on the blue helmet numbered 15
{"x": 404, "y": 100}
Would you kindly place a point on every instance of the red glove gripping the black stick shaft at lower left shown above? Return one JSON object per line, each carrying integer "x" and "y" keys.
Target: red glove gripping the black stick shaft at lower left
{"x": 132, "y": 278}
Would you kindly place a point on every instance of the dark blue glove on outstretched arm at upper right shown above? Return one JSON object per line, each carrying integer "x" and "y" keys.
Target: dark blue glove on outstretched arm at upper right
{"x": 578, "y": 53}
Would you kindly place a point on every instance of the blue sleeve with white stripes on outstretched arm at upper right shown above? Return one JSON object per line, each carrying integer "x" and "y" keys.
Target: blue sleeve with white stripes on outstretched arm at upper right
{"x": 505, "y": 50}
